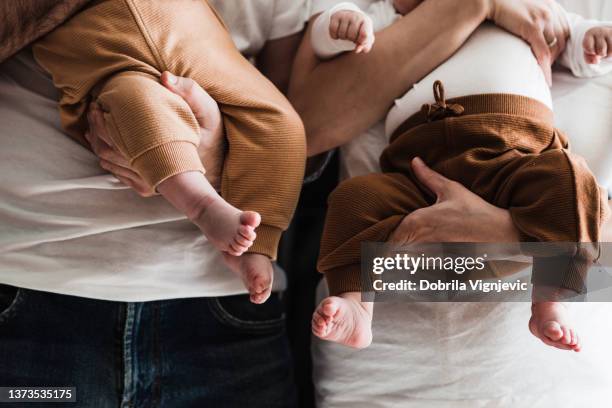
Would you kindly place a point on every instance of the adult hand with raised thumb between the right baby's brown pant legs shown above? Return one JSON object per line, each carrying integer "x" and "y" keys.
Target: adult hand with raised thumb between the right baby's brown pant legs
{"x": 457, "y": 216}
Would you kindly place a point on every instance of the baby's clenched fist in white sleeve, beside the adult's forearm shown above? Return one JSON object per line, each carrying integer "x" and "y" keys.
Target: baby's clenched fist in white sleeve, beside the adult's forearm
{"x": 352, "y": 26}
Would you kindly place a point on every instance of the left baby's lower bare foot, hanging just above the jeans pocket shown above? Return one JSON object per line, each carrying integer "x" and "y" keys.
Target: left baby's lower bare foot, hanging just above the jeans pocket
{"x": 256, "y": 272}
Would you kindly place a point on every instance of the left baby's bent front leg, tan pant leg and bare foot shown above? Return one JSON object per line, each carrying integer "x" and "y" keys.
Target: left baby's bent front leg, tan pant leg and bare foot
{"x": 157, "y": 132}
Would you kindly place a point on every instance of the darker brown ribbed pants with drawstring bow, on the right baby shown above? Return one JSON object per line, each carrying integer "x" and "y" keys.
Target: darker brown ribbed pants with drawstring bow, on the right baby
{"x": 503, "y": 148}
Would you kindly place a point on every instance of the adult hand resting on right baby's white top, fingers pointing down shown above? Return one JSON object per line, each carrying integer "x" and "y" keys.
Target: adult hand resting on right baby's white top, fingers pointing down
{"x": 539, "y": 22}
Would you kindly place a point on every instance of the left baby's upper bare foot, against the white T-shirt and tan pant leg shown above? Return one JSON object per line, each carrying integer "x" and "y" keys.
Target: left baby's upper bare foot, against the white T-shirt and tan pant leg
{"x": 226, "y": 227}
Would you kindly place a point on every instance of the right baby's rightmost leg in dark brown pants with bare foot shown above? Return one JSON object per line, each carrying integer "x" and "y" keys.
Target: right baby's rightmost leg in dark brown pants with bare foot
{"x": 555, "y": 198}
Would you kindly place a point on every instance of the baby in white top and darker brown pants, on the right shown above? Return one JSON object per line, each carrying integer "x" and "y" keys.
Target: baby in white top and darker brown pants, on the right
{"x": 489, "y": 127}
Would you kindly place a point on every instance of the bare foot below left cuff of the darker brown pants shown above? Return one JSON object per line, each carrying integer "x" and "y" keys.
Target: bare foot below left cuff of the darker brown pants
{"x": 345, "y": 320}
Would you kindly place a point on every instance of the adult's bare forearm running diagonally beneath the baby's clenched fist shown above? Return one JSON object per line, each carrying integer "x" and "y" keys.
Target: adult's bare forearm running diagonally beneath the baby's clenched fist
{"x": 340, "y": 98}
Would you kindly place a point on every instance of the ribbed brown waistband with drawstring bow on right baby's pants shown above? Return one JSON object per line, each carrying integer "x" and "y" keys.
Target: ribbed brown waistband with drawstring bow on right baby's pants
{"x": 504, "y": 104}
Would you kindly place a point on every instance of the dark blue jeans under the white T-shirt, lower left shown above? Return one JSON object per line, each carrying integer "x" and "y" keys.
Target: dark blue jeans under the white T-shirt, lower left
{"x": 200, "y": 352}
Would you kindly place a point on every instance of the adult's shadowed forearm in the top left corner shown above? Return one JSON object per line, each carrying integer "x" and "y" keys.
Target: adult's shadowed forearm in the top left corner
{"x": 23, "y": 21}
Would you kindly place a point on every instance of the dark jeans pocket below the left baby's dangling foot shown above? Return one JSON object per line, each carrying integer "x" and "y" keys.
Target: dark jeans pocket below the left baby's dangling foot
{"x": 238, "y": 312}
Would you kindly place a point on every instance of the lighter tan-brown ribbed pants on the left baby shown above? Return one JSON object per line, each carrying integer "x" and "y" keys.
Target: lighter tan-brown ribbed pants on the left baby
{"x": 116, "y": 50}
